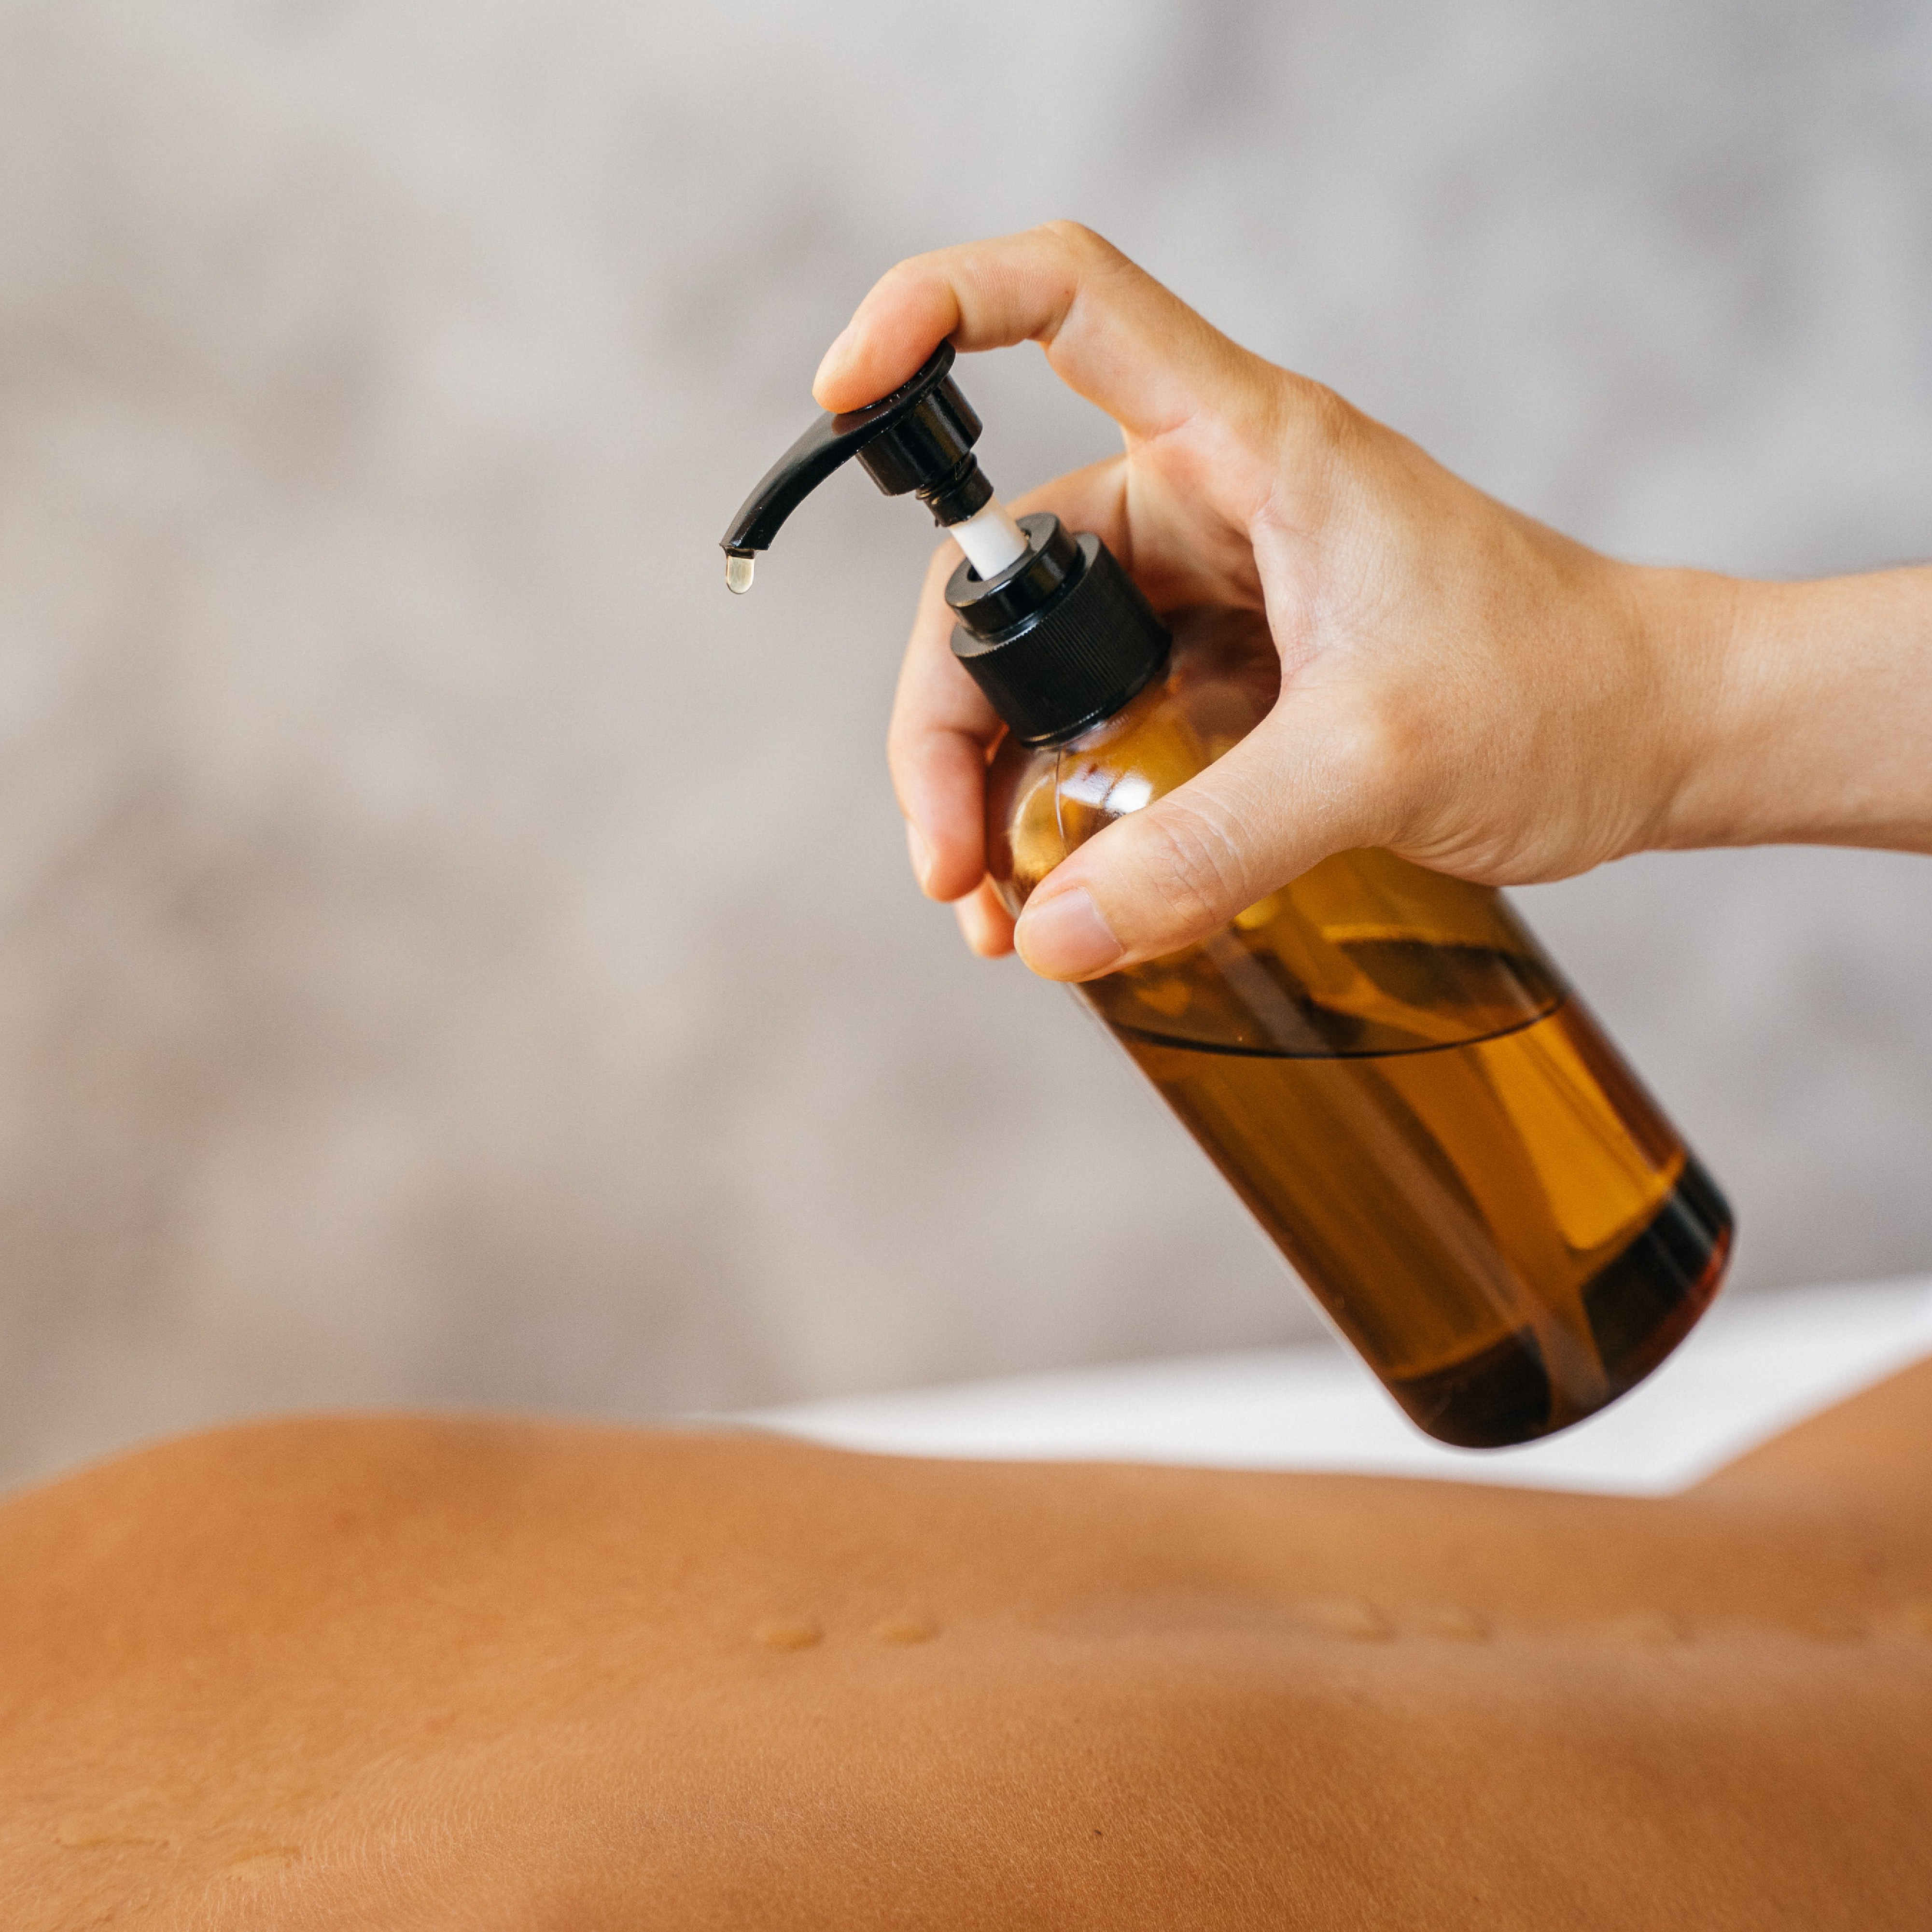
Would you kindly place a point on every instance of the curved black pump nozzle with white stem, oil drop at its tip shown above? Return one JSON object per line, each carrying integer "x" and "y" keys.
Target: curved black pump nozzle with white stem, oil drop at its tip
{"x": 917, "y": 440}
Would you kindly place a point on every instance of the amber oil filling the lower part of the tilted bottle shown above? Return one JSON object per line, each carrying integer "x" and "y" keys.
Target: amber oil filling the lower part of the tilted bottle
{"x": 1506, "y": 1228}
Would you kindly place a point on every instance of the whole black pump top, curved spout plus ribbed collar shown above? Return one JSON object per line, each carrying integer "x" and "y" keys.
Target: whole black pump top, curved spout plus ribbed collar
{"x": 1060, "y": 639}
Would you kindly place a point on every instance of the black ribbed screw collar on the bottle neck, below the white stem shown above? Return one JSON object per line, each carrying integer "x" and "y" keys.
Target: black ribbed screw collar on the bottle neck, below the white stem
{"x": 1062, "y": 639}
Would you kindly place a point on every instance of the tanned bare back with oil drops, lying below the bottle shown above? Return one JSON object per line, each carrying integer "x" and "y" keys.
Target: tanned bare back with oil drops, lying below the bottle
{"x": 563, "y": 1680}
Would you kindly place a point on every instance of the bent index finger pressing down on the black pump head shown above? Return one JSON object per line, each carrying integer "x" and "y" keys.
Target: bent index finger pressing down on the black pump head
{"x": 1110, "y": 329}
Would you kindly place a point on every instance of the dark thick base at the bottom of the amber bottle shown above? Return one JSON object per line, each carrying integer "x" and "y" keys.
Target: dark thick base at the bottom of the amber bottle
{"x": 1639, "y": 1307}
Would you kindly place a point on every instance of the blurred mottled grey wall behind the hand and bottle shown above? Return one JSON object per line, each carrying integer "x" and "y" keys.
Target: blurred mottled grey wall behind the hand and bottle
{"x": 455, "y": 953}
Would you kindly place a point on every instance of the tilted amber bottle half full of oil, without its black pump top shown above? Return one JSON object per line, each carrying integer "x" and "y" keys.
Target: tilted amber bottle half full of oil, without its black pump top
{"x": 1398, "y": 1083}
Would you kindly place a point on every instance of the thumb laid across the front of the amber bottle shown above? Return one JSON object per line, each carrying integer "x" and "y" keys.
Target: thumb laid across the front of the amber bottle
{"x": 1295, "y": 791}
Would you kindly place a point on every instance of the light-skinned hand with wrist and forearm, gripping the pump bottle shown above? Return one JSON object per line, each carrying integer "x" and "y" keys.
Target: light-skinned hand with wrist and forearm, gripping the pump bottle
{"x": 1460, "y": 683}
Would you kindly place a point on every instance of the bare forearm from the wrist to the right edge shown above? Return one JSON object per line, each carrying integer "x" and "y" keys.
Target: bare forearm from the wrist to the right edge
{"x": 1805, "y": 708}
